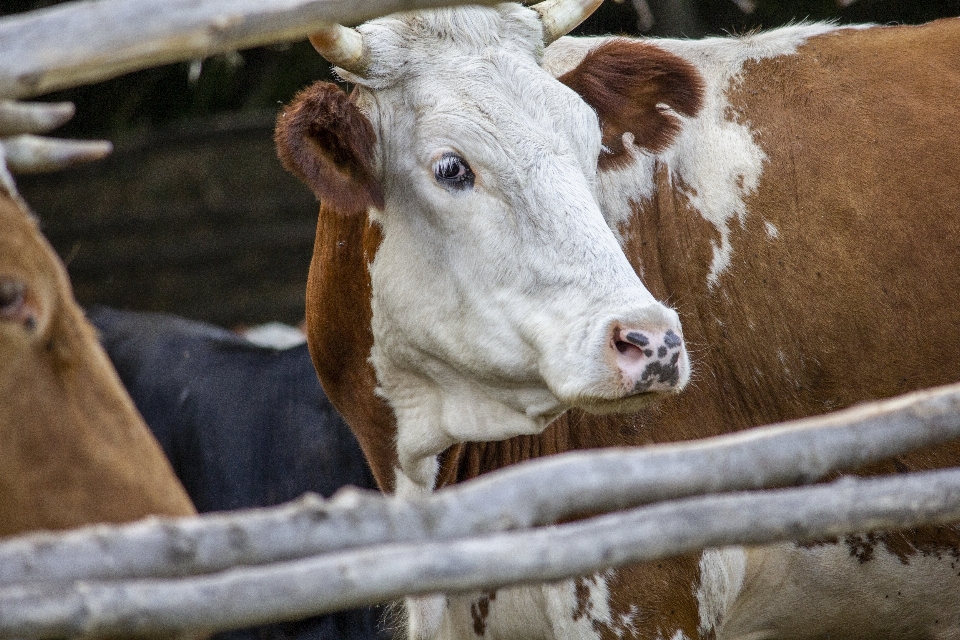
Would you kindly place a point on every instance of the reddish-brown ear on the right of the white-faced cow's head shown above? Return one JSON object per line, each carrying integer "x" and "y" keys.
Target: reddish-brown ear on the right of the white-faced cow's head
{"x": 627, "y": 82}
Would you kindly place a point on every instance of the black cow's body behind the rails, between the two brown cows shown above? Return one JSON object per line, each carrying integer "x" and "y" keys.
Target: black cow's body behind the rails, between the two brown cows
{"x": 244, "y": 426}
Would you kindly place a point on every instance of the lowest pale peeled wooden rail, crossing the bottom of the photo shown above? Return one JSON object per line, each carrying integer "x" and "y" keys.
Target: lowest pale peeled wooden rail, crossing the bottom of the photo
{"x": 327, "y": 583}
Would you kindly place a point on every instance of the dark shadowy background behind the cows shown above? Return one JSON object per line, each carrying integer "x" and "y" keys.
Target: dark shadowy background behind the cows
{"x": 193, "y": 214}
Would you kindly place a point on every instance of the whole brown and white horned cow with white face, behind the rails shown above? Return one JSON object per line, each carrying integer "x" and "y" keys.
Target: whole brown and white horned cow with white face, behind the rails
{"x": 530, "y": 243}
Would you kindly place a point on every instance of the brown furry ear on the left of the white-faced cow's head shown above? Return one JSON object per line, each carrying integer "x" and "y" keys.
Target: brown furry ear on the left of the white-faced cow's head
{"x": 324, "y": 139}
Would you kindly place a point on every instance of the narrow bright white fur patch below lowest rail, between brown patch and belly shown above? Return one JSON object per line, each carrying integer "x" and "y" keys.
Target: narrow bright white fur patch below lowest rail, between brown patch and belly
{"x": 721, "y": 579}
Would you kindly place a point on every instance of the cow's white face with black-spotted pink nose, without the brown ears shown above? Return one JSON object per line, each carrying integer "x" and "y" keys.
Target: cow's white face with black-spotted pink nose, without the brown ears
{"x": 500, "y": 295}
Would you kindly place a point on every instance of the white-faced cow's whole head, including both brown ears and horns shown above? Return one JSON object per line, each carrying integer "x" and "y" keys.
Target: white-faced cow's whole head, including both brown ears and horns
{"x": 500, "y": 295}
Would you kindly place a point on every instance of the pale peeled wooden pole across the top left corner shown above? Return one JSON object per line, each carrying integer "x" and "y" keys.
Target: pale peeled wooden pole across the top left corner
{"x": 93, "y": 40}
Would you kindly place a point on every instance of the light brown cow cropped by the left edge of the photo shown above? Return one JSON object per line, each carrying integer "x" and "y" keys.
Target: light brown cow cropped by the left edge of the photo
{"x": 73, "y": 448}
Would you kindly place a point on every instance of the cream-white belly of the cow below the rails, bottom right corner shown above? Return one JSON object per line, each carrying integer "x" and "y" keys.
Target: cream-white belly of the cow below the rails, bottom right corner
{"x": 844, "y": 591}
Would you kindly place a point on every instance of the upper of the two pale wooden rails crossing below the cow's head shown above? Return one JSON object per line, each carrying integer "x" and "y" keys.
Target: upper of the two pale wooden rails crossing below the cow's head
{"x": 513, "y": 498}
